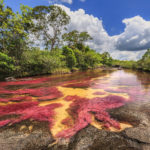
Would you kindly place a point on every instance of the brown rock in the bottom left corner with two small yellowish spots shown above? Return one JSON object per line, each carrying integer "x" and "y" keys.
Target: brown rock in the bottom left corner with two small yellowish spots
{"x": 26, "y": 136}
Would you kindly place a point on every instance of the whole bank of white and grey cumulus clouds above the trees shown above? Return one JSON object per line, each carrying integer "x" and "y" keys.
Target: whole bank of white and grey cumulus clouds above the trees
{"x": 129, "y": 45}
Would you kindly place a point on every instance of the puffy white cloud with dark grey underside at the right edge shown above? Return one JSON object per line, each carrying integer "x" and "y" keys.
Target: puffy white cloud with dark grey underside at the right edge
{"x": 136, "y": 35}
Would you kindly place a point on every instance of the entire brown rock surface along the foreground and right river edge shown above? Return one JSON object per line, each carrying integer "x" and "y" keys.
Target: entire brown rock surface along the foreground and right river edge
{"x": 32, "y": 135}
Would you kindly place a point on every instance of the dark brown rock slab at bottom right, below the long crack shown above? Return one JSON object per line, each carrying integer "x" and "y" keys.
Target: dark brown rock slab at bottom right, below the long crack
{"x": 91, "y": 138}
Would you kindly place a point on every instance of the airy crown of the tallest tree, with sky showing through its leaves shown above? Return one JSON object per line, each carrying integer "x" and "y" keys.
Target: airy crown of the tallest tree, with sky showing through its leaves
{"x": 50, "y": 21}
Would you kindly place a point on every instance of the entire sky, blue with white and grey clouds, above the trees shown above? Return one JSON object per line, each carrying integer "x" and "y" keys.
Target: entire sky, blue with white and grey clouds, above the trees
{"x": 121, "y": 27}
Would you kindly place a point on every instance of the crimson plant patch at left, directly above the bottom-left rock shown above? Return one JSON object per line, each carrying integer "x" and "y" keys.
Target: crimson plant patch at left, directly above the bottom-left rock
{"x": 28, "y": 110}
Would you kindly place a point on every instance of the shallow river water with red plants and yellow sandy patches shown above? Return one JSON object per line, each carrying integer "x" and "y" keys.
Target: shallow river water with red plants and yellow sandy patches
{"x": 70, "y": 102}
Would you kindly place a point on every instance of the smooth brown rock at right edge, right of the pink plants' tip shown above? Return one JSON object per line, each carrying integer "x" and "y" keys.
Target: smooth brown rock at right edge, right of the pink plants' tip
{"x": 135, "y": 113}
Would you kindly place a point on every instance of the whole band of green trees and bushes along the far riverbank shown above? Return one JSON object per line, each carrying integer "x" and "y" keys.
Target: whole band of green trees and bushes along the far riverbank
{"x": 59, "y": 52}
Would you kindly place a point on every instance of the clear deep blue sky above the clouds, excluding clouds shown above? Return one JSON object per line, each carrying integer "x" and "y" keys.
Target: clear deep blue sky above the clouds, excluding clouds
{"x": 112, "y": 12}
